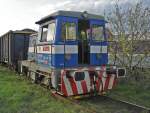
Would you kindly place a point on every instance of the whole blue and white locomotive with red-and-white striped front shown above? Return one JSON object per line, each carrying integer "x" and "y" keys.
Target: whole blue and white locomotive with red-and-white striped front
{"x": 71, "y": 55}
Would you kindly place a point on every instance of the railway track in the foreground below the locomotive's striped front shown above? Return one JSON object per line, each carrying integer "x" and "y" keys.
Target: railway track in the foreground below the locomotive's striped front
{"x": 93, "y": 105}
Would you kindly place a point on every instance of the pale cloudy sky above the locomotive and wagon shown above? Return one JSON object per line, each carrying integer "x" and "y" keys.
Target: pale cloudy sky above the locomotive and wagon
{"x": 20, "y": 14}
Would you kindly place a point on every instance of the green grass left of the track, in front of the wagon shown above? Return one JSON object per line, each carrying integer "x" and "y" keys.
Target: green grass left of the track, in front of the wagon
{"x": 18, "y": 95}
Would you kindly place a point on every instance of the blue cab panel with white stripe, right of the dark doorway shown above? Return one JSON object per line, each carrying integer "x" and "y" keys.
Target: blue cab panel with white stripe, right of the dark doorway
{"x": 98, "y": 43}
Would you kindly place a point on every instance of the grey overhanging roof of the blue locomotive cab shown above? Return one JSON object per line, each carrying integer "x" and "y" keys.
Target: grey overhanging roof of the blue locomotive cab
{"x": 69, "y": 14}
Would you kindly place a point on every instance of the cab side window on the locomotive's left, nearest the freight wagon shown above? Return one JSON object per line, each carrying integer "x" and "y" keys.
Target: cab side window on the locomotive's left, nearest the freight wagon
{"x": 48, "y": 32}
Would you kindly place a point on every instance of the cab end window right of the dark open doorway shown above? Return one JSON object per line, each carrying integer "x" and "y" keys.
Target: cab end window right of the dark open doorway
{"x": 97, "y": 33}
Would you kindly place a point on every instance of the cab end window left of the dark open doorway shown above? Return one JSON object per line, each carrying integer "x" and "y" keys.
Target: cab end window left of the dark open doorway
{"x": 68, "y": 31}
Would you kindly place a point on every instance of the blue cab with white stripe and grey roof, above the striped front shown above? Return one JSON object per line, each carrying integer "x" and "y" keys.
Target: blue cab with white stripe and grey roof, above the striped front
{"x": 74, "y": 40}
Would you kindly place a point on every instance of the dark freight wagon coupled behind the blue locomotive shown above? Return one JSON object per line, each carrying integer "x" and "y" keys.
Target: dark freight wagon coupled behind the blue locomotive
{"x": 14, "y": 46}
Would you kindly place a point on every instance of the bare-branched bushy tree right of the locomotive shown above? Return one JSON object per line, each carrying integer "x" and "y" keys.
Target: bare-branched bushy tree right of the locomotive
{"x": 130, "y": 27}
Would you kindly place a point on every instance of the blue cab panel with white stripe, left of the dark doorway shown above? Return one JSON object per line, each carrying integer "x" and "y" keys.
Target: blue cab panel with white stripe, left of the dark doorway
{"x": 67, "y": 42}
